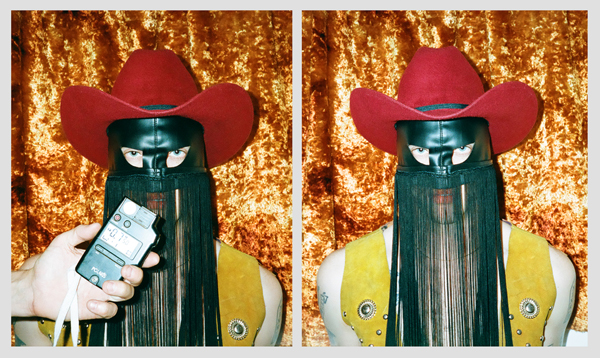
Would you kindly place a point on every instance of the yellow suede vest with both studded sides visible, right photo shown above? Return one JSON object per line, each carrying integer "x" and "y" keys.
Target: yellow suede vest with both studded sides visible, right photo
{"x": 529, "y": 280}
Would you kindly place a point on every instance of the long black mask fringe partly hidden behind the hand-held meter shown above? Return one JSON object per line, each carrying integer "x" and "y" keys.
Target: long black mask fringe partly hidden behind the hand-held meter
{"x": 178, "y": 302}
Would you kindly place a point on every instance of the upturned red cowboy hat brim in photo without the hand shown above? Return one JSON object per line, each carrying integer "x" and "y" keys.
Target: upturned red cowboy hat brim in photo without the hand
{"x": 510, "y": 108}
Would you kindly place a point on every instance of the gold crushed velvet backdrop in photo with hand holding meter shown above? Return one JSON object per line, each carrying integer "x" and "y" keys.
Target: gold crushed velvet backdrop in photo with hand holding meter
{"x": 54, "y": 188}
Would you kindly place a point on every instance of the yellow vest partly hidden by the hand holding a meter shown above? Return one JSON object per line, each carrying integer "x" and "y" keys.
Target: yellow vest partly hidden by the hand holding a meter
{"x": 241, "y": 302}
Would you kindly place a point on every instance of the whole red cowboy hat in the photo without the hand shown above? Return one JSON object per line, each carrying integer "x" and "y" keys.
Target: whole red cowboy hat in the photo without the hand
{"x": 440, "y": 84}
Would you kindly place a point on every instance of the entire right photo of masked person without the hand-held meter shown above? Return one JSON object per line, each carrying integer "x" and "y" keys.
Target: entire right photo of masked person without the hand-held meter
{"x": 444, "y": 178}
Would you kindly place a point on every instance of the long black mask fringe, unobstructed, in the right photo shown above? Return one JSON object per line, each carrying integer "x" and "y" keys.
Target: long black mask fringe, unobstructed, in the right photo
{"x": 444, "y": 278}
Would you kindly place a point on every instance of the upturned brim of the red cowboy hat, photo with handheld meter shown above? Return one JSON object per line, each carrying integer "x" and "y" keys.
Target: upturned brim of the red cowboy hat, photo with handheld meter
{"x": 224, "y": 110}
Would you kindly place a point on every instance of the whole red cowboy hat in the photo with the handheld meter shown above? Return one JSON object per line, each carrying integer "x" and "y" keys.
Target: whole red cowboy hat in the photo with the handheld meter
{"x": 157, "y": 79}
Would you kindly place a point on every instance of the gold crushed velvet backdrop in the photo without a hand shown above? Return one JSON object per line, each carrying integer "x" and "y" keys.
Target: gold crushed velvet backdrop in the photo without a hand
{"x": 348, "y": 184}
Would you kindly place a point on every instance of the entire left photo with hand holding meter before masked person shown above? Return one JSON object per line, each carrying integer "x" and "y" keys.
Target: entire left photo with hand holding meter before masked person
{"x": 188, "y": 115}
